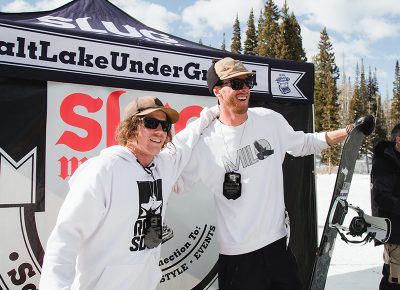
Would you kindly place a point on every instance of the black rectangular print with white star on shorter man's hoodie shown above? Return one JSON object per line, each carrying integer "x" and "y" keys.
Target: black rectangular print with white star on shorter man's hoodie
{"x": 150, "y": 205}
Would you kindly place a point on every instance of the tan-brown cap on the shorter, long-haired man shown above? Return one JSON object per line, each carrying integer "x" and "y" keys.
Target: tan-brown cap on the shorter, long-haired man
{"x": 143, "y": 106}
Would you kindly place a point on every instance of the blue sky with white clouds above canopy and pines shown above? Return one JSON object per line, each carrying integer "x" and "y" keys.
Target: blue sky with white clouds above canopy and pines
{"x": 365, "y": 31}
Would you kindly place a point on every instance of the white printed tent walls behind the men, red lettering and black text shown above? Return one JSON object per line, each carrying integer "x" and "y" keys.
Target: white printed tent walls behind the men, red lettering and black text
{"x": 80, "y": 122}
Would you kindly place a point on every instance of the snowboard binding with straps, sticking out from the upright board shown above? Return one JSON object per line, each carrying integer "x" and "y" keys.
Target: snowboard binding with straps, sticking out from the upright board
{"x": 373, "y": 227}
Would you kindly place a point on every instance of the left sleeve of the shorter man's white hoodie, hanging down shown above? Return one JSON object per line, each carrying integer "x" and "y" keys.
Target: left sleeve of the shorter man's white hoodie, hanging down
{"x": 80, "y": 214}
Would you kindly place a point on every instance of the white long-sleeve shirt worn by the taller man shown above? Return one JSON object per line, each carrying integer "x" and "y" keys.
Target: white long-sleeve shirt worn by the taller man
{"x": 256, "y": 150}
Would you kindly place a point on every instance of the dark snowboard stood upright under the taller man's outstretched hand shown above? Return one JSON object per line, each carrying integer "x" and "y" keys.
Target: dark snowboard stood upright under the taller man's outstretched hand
{"x": 362, "y": 127}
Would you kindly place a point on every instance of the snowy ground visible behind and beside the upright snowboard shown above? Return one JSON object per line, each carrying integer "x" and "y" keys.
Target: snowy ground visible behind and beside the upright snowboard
{"x": 352, "y": 267}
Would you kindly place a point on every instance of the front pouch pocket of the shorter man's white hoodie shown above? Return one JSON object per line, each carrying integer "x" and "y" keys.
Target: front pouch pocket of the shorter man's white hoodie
{"x": 129, "y": 277}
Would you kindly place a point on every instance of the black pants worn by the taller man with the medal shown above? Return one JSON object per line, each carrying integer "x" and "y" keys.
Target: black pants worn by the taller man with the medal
{"x": 270, "y": 268}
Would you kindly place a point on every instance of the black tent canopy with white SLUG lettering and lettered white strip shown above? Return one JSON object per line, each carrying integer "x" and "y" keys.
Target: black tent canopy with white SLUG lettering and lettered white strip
{"x": 94, "y": 41}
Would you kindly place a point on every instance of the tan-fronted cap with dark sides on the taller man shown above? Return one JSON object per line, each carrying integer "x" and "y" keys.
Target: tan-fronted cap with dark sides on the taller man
{"x": 224, "y": 69}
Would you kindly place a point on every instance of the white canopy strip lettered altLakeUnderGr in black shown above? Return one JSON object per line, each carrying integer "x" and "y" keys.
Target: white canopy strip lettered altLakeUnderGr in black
{"x": 62, "y": 53}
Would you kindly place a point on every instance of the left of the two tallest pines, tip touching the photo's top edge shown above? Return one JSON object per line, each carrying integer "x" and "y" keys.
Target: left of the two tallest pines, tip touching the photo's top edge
{"x": 268, "y": 32}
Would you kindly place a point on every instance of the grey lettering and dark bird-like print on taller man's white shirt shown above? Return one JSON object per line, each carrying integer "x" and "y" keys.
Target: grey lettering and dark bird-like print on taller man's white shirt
{"x": 249, "y": 155}
